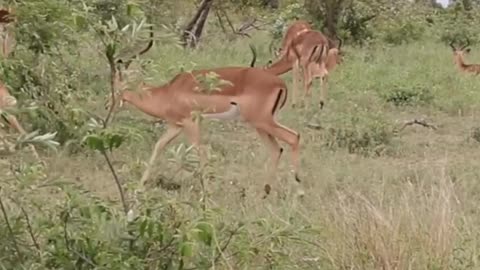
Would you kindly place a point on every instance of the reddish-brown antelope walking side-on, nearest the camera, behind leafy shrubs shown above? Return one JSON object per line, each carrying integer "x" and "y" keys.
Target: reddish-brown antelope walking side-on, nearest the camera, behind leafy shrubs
{"x": 253, "y": 95}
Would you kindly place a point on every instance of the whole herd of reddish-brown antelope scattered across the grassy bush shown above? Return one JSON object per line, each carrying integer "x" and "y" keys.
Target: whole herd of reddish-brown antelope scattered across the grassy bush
{"x": 254, "y": 95}
